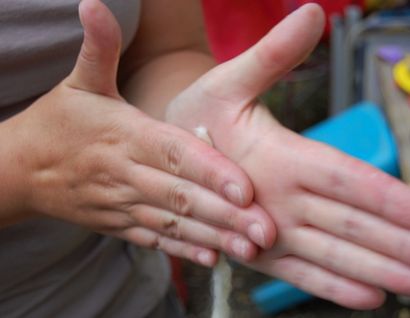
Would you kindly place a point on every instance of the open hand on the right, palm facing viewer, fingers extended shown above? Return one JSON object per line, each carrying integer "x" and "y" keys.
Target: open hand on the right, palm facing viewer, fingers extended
{"x": 342, "y": 225}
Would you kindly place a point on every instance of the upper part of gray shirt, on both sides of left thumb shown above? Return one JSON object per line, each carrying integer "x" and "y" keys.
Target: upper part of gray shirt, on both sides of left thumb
{"x": 40, "y": 40}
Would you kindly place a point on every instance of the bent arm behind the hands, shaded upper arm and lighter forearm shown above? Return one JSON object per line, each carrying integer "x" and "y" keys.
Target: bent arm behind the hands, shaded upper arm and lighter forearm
{"x": 168, "y": 54}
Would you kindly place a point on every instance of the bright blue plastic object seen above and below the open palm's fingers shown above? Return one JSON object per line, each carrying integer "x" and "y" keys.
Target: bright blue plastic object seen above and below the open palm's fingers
{"x": 362, "y": 132}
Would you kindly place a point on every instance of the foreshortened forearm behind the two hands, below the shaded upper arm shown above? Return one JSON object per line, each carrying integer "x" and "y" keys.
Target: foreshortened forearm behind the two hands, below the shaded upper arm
{"x": 157, "y": 82}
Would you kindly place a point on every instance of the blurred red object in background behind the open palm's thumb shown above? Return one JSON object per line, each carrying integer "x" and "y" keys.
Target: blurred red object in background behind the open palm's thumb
{"x": 235, "y": 25}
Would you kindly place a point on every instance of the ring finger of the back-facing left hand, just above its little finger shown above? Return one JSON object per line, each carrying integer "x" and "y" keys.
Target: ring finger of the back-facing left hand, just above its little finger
{"x": 189, "y": 230}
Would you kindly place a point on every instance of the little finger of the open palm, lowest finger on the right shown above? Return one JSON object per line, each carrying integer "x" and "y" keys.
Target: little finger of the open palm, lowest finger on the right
{"x": 322, "y": 283}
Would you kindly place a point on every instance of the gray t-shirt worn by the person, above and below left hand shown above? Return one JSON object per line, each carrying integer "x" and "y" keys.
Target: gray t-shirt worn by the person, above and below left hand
{"x": 50, "y": 268}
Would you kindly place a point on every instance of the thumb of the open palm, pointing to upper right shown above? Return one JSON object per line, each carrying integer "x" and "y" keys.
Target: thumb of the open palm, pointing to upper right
{"x": 242, "y": 79}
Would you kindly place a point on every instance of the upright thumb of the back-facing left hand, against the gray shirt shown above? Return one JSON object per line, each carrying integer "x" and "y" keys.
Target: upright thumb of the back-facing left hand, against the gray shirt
{"x": 97, "y": 64}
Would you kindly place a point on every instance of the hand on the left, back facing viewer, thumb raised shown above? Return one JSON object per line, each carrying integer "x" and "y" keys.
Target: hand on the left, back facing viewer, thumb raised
{"x": 94, "y": 160}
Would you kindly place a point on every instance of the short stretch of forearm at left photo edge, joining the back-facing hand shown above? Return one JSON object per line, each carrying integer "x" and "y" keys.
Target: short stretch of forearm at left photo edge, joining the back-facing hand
{"x": 13, "y": 184}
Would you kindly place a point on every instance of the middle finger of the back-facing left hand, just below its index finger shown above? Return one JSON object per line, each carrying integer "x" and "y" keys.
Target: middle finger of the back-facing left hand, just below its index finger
{"x": 183, "y": 197}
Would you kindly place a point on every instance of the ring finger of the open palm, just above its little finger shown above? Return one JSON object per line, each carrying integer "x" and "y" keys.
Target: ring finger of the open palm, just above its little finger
{"x": 349, "y": 260}
